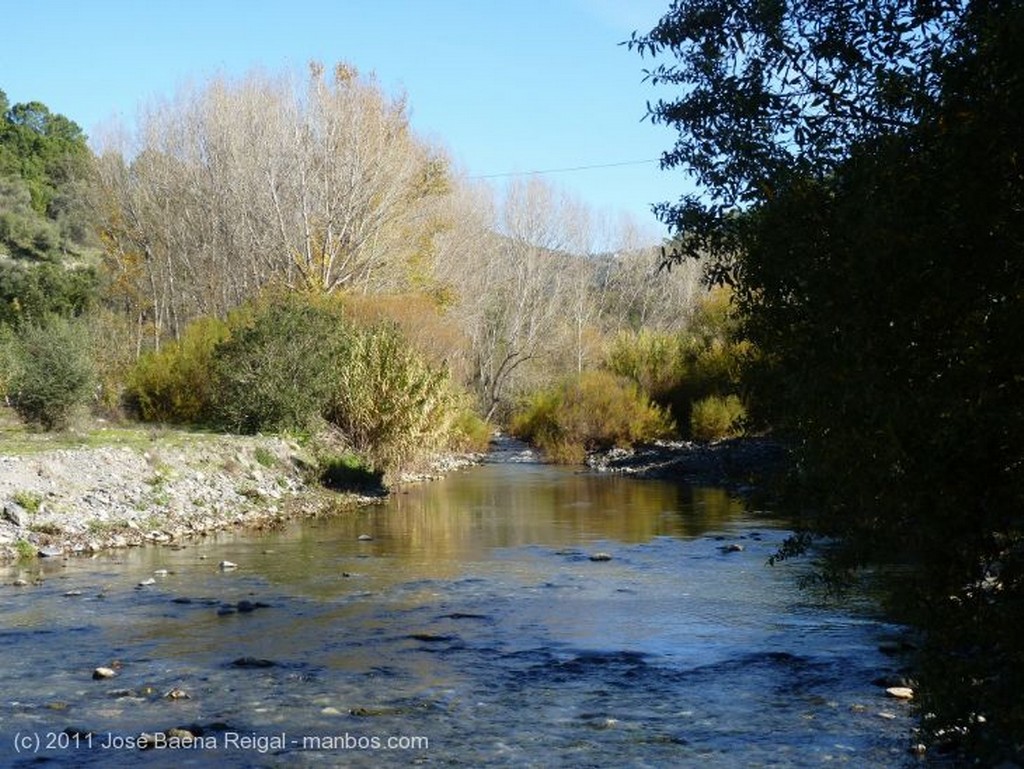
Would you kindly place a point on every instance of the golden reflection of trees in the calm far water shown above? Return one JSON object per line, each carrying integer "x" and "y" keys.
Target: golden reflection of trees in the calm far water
{"x": 460, "y": 518}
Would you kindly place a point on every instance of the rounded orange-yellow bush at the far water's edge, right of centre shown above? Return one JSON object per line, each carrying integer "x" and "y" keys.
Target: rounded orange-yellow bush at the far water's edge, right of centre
{"x": 594, "y": 411}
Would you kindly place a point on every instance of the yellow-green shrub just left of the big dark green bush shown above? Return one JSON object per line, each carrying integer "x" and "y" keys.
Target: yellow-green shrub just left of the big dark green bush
{"x": 176, "y": 383}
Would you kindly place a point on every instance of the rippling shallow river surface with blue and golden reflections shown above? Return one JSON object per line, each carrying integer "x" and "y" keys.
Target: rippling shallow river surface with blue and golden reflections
{"x": 474, "y": 630}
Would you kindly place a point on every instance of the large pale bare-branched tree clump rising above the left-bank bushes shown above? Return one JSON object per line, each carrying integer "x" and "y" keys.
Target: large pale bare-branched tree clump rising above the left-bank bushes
{"x": 238, "y": 186}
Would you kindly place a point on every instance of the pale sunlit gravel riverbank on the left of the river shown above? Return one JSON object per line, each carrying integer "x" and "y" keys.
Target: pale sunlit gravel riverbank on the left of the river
{"x": 125, "y": 487}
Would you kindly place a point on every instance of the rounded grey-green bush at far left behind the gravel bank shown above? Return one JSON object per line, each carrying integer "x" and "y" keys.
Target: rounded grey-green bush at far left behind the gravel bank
{"x": 55, "y": 376}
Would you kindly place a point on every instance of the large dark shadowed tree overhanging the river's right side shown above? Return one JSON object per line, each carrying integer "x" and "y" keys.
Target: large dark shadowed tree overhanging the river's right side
{"x": 862, "y": 178}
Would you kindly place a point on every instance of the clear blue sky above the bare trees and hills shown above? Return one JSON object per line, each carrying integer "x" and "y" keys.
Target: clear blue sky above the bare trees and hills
{"x": 505, "y": 86}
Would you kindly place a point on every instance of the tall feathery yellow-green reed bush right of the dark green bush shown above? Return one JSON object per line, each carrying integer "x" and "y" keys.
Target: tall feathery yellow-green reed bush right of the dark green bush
{"x": 392, "y": 405}
